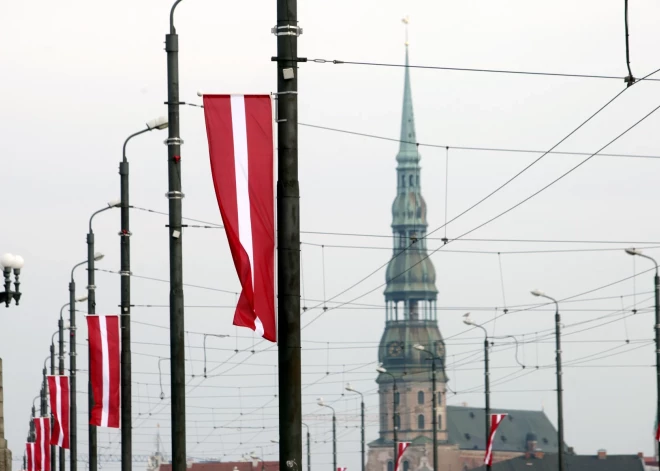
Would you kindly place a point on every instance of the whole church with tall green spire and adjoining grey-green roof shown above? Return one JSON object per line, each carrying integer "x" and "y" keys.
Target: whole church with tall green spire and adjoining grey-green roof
{"x": 411, "y": 318}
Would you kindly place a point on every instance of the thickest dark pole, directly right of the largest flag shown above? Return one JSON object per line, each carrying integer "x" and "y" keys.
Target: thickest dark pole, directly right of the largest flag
{"x": 288, "y": 235}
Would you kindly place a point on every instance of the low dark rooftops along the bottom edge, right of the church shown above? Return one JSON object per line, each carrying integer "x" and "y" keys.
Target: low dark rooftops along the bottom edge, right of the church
{"x": 573, "y": 463}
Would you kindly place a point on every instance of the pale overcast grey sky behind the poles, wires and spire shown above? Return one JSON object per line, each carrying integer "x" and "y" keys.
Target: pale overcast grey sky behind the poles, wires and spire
{"x": 79, "y": 76}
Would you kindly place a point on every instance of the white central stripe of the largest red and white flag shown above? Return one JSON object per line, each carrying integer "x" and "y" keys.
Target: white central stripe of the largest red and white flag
{"x": 239, "y": 130}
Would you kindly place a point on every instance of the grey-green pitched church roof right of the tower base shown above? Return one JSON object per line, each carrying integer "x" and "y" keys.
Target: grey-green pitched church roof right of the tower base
{"x": 467, "y": 428}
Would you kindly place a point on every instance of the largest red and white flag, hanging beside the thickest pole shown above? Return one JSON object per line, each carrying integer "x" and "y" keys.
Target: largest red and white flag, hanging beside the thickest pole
{"x": 240, "y": 134}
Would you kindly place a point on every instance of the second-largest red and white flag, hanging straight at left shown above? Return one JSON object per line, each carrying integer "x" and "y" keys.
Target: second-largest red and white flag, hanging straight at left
{"x": 104, "y": 351}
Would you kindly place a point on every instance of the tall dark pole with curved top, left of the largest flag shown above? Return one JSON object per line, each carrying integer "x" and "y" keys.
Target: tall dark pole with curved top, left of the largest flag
{"x": 174, "y": 195}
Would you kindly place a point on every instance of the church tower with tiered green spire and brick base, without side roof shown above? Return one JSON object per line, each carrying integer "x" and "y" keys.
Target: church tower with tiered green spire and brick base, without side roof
{"x": 410, "y": 319}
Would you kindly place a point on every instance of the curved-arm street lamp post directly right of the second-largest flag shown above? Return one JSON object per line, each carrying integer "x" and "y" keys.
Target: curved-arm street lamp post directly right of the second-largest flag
{"x": 125, "y": 301}
